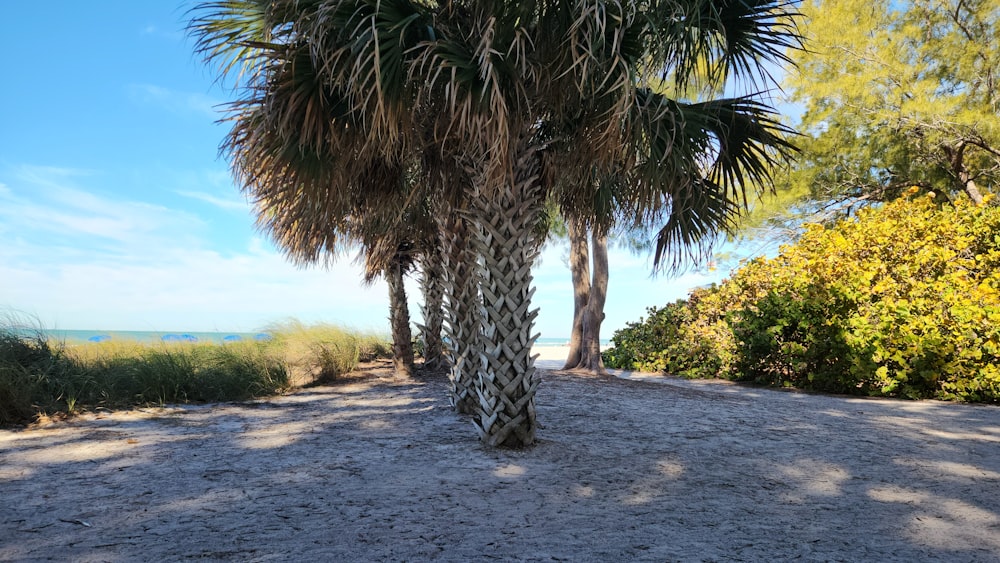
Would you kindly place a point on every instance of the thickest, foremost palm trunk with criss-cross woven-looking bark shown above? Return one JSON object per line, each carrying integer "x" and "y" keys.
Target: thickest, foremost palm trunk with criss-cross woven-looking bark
{"x": 506, "y": 219}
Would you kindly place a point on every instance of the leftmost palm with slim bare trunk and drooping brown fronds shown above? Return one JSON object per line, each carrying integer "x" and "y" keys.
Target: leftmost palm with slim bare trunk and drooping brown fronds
{"x": 296, "y": 153}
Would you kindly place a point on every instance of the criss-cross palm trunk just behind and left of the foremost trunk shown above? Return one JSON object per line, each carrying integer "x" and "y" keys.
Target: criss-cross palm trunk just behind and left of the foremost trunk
{"x": 462, "y": 307}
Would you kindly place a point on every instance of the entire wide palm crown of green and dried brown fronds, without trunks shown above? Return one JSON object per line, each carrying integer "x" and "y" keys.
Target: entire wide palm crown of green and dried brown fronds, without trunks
{"x": 340, "y": 97}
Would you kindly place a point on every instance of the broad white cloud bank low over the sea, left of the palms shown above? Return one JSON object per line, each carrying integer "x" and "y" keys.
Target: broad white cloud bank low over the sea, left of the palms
{"x": 77, "y": 259}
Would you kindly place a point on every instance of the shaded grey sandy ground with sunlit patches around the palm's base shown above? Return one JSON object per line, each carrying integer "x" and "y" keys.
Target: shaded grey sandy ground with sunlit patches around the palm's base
{"x": 375, "y": 469}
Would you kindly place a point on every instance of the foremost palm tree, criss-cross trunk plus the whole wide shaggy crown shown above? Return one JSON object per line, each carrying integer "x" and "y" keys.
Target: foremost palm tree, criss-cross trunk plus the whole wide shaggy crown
{"x": 516, "y": 95}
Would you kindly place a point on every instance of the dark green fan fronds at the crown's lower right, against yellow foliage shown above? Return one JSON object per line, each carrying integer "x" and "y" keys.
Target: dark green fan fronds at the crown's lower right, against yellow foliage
{"x": 694, "y": 165}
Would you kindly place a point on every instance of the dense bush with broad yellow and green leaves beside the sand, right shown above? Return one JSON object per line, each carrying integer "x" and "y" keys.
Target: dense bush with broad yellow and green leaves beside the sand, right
{"x": 903, "y": 301}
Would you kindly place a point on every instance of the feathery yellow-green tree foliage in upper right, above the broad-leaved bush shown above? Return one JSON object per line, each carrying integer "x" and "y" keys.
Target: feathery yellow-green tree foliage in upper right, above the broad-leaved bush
{"x": 896, "y": 92}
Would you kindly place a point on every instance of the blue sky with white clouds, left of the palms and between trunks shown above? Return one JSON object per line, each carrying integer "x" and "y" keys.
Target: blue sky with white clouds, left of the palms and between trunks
{"x": 116, "y": 212}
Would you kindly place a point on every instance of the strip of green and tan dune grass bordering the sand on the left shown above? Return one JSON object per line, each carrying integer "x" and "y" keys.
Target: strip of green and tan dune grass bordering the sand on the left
{"x": 39, "y": 377}
